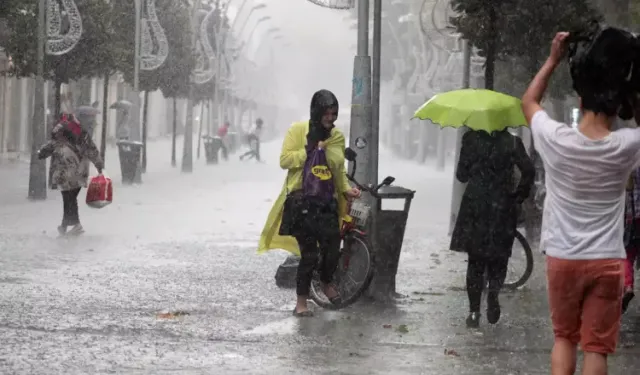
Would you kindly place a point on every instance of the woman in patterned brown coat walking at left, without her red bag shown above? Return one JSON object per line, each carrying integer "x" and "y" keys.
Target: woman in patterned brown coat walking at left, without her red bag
{"x": 72, "y": 149}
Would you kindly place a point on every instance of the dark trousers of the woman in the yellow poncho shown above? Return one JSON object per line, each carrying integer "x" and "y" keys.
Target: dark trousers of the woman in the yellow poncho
{"x": 320, "y": 234}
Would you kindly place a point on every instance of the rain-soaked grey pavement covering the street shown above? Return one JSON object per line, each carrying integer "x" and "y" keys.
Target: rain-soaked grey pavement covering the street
{"x": 185, "y": 244}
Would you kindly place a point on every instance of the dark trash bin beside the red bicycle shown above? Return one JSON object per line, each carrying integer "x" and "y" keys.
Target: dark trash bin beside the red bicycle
{"x": 390, "y": 228}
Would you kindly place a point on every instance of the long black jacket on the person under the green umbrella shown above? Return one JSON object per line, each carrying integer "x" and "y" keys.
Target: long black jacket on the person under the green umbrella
{"x": 487, "y": 219}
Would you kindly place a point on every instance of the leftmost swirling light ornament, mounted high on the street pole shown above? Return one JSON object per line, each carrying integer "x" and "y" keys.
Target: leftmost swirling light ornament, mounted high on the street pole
{"x": 58, "y": 44}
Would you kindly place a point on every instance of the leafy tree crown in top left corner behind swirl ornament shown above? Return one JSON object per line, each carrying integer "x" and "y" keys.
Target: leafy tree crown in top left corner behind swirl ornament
{"x": 91, "y": 57}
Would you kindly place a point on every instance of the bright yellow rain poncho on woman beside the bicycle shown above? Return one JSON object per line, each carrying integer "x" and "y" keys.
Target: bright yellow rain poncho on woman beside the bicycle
{"x": 292, "y": 159}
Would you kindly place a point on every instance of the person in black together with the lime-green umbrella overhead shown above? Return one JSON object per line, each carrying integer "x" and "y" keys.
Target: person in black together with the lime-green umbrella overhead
{"x": 486, "y": 222}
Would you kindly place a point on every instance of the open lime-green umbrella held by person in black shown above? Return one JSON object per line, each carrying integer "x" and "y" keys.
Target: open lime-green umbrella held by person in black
{"x": 474, "y": 108}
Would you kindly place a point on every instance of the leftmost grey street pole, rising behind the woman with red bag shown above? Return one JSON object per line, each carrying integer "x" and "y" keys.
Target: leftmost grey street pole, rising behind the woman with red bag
{"x": 37, "y": 167}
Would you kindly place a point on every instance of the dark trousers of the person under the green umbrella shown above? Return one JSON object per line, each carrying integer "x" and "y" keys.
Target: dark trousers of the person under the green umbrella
{"x": 496, "y": 271}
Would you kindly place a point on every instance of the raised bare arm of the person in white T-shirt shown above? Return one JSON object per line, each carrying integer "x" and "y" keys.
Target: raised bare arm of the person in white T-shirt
{"x": 533, "y": 96}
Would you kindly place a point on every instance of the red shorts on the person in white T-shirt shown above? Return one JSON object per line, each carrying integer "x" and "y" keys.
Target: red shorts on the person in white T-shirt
{"x": 585, "y": 298}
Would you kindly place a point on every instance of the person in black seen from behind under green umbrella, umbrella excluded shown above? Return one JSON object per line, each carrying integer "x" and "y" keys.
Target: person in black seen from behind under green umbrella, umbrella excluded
{"x": 487, "y": 220}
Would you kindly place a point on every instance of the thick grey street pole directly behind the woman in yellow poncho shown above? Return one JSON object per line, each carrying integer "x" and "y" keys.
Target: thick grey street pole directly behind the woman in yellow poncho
{"x": 360, "y": 129}
